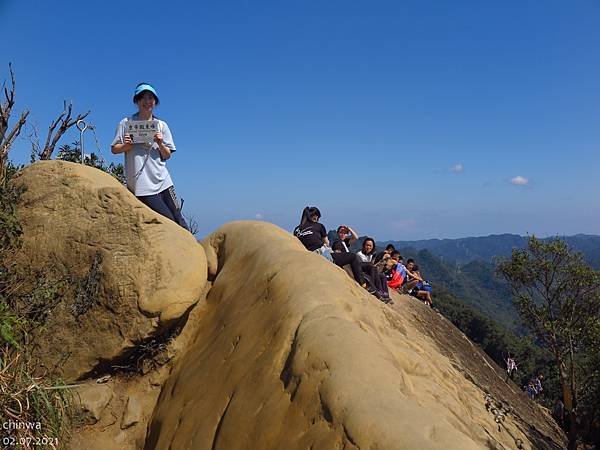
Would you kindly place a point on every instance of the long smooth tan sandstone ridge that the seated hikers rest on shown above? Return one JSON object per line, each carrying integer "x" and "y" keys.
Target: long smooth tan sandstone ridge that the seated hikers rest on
{"x": 291, "y": 353}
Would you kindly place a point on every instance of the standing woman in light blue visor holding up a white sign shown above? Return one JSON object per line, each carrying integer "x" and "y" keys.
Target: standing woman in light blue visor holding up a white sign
{"x": 145, "y": 161}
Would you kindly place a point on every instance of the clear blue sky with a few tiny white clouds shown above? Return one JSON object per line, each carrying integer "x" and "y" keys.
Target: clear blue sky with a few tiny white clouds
{"x": 405, "y": 120}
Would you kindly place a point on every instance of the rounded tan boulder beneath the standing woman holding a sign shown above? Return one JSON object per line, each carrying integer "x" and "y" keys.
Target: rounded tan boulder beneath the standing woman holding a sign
{"x": 133, "y": 272}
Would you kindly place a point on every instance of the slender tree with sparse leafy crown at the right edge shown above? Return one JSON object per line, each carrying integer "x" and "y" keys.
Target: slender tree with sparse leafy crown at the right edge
{"x": 557, "y": 296}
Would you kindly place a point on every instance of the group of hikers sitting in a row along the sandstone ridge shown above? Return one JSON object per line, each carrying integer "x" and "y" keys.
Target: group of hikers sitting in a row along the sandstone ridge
{"x": 376, "y": 272}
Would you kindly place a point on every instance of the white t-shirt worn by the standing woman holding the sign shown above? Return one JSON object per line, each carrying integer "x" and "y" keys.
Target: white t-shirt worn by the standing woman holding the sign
{"x": 146, "y": 172}
